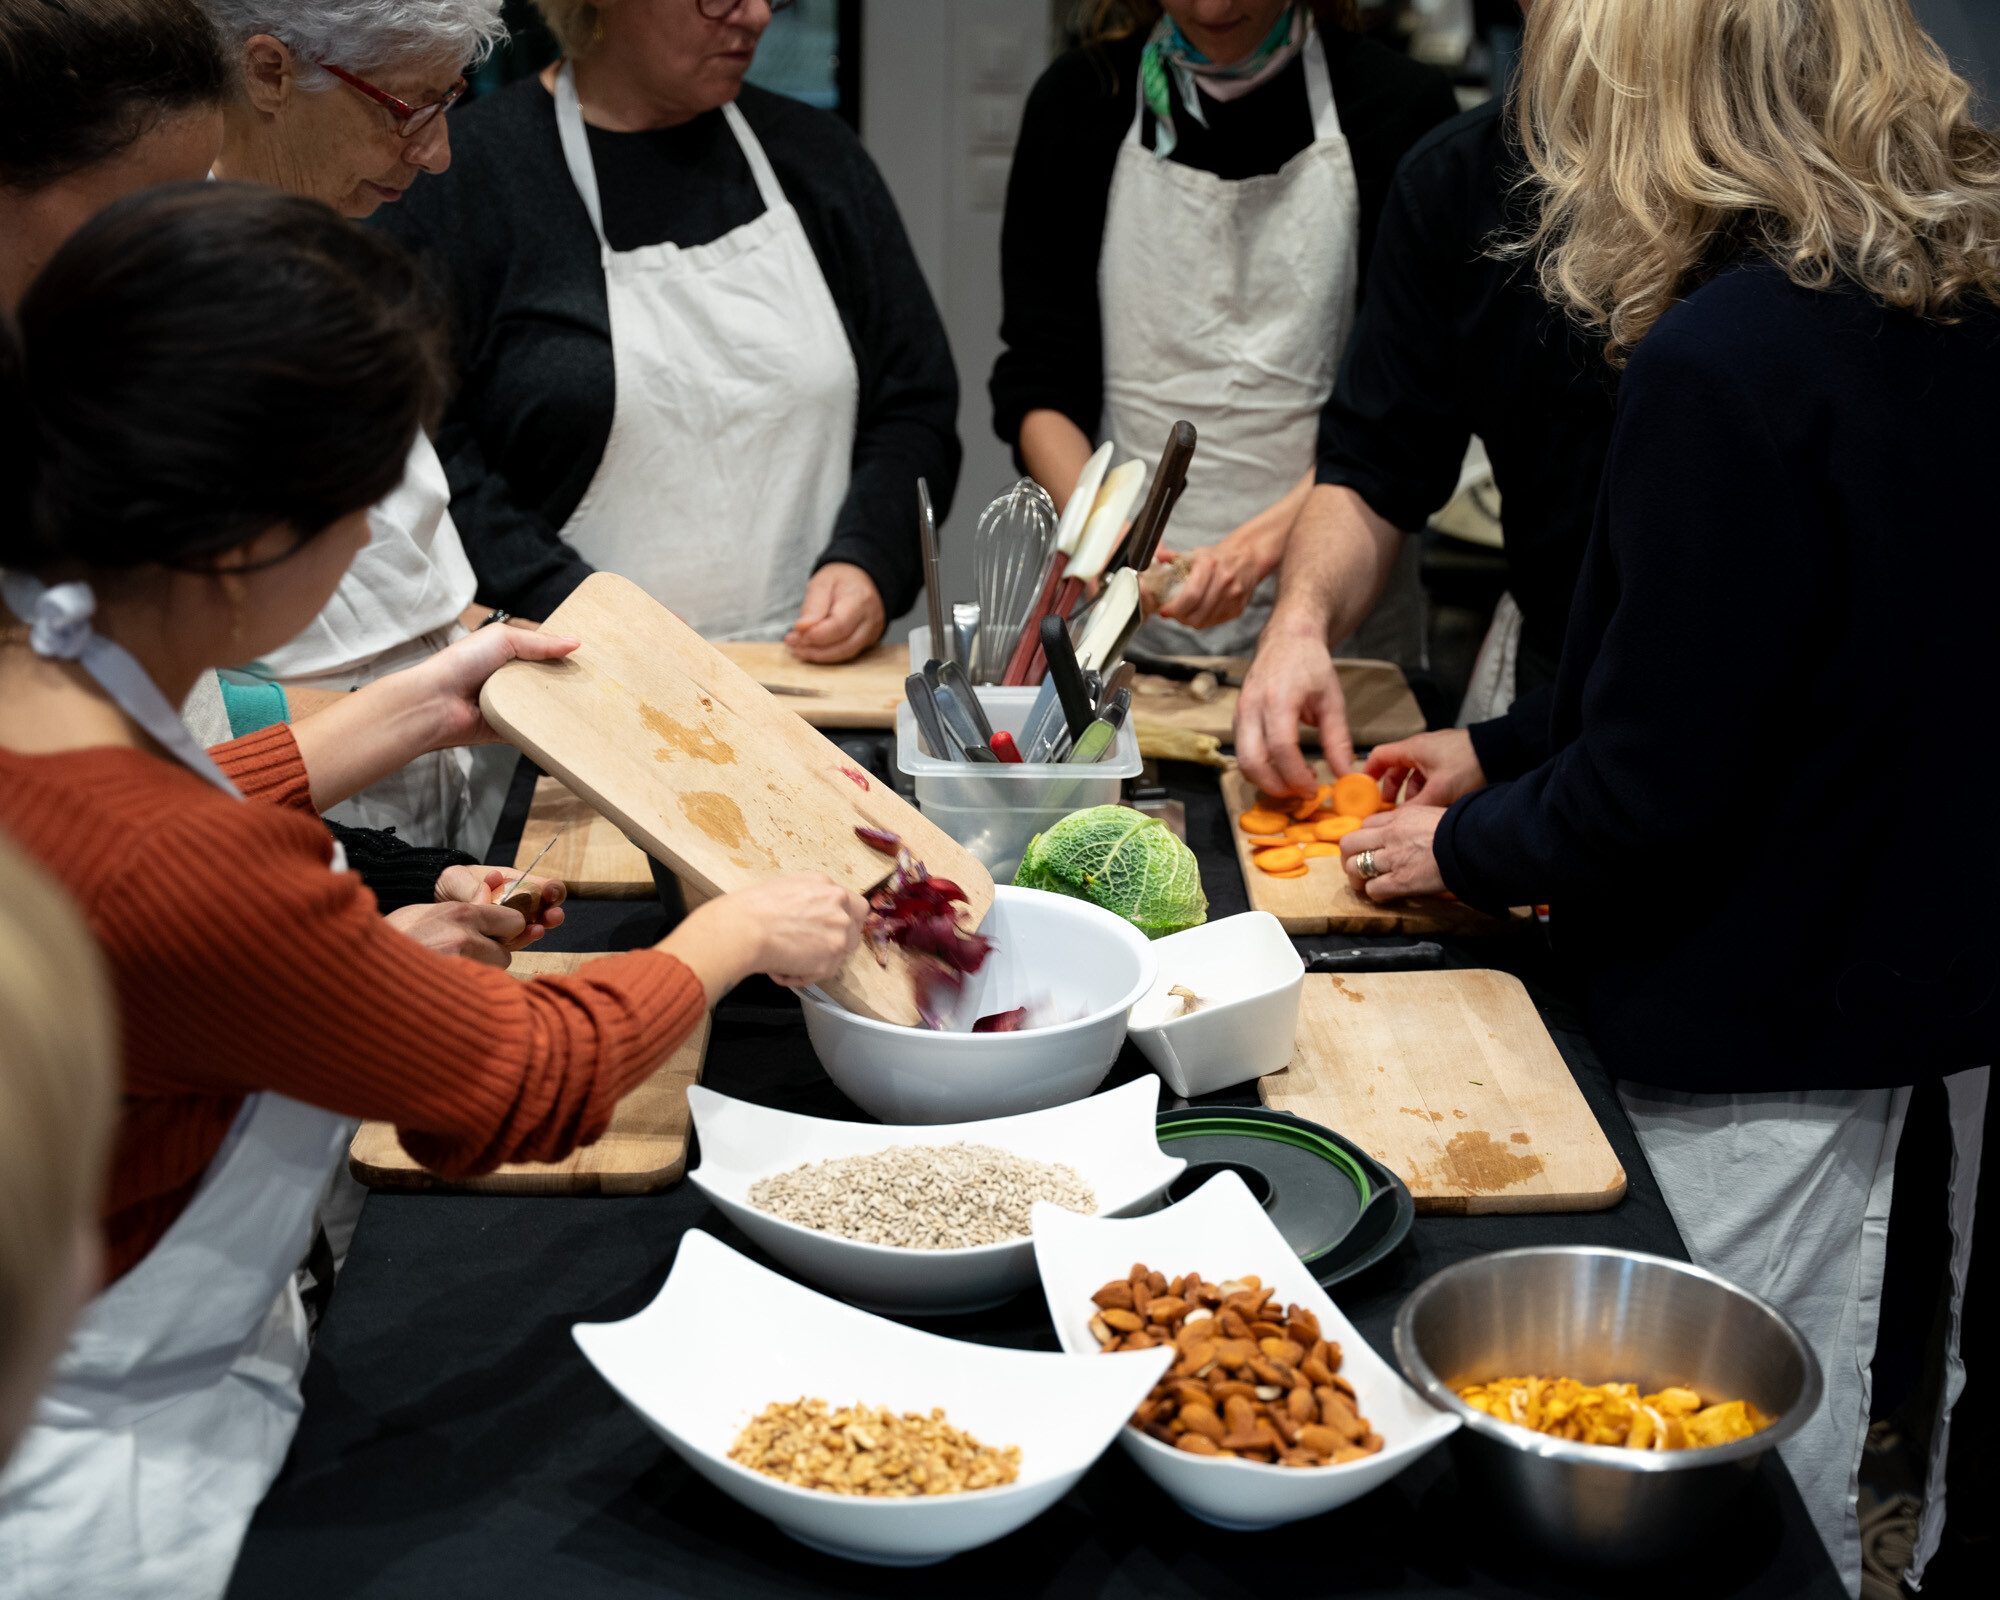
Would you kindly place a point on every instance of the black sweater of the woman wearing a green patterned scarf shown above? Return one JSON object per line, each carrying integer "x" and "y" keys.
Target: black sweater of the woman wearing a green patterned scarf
{"x": 1063, "y": 179}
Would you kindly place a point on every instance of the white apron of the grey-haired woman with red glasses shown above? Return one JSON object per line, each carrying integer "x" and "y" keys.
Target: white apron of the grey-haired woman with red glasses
{"x": 397, "y": 607}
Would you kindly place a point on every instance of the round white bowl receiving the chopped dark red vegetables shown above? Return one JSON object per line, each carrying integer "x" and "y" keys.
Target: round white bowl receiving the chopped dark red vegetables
{"x": 1051, "y": 953}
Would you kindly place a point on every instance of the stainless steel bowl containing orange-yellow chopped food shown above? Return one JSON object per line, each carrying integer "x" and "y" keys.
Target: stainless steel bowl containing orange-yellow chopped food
{"x": 1603, "y": 1317}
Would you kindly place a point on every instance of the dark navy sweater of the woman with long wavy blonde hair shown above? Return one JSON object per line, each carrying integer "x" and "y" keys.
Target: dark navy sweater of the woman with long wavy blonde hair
{"x": 1769, "y": 831}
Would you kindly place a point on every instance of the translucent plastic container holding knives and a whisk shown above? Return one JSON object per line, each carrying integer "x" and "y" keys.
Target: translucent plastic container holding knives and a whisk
{"x": 995, "y": 811}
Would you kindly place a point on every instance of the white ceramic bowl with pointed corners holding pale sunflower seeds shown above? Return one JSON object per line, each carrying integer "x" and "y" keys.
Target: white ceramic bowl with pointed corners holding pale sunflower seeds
{"x": 1109, "y": 1139}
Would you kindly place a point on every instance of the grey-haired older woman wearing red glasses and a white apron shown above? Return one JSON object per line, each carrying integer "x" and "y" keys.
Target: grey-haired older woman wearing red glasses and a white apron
{"x": 345, "y": 101}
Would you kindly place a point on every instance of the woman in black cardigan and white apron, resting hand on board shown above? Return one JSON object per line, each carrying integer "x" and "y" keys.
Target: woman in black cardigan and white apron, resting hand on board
{"x": 699, "y": 349}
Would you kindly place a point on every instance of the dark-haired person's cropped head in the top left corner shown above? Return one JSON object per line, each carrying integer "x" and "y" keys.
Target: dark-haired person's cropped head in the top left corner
{"x": 101, "y": 97}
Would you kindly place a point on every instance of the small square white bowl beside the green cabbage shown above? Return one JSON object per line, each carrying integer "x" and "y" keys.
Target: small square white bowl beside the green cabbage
{"x": 1249, "y": 977}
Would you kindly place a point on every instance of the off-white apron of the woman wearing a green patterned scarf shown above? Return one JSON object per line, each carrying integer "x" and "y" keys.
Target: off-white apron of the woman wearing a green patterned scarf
{"x": 1229, "y": 303}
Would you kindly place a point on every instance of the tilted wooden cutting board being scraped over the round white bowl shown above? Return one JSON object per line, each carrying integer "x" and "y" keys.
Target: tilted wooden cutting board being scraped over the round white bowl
{"x": 651, "y": 727}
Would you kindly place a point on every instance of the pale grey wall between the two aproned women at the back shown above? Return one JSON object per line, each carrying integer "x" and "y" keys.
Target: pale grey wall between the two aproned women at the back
{"x": 943, "y": 87}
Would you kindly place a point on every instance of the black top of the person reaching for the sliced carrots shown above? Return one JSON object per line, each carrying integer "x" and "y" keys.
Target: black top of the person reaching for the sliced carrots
{"x": 1453, "y": 343}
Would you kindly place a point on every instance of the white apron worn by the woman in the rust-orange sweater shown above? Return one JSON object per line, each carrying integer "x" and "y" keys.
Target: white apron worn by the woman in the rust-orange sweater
{"x": 177, "y": 1397}
